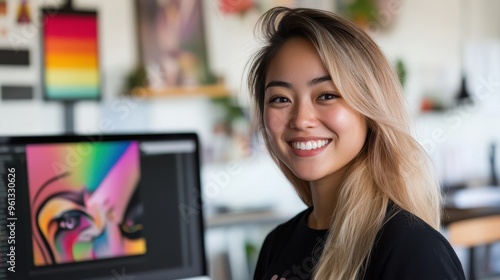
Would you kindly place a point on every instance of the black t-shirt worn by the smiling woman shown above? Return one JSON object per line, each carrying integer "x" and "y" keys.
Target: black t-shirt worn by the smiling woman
{"x": 406, "y": 248}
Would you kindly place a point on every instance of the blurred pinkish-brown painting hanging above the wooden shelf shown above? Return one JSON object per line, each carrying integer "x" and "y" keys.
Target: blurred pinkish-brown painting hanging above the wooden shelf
{"x": 172, "y": 43}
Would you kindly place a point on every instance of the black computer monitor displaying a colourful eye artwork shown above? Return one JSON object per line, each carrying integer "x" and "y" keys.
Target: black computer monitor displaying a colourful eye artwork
{"x": 108, "y": 207}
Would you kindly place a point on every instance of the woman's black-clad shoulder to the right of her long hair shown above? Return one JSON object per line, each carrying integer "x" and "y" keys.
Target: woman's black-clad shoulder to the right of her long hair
{"x": 406, "y": 245}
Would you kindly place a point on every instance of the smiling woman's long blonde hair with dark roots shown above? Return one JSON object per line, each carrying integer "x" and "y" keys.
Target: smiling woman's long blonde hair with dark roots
{"x": 392, "y": 166}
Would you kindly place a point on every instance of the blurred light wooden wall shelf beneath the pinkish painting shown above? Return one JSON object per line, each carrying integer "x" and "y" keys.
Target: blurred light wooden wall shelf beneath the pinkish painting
{"x": 217, "y": 90}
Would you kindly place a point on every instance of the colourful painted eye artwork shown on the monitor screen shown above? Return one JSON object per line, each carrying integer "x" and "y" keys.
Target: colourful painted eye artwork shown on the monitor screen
{"x": 85, "y": 202}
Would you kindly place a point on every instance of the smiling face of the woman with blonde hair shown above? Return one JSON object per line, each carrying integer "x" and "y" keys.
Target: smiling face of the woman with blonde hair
{"x": 310, "y": 127}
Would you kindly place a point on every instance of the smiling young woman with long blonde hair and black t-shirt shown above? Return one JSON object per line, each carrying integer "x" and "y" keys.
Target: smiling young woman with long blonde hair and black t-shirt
{"x": 334, "y": 119}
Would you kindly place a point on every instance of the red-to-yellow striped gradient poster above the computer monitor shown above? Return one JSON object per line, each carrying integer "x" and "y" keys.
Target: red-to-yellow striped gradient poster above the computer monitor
{"x": 70, "y": 52}
